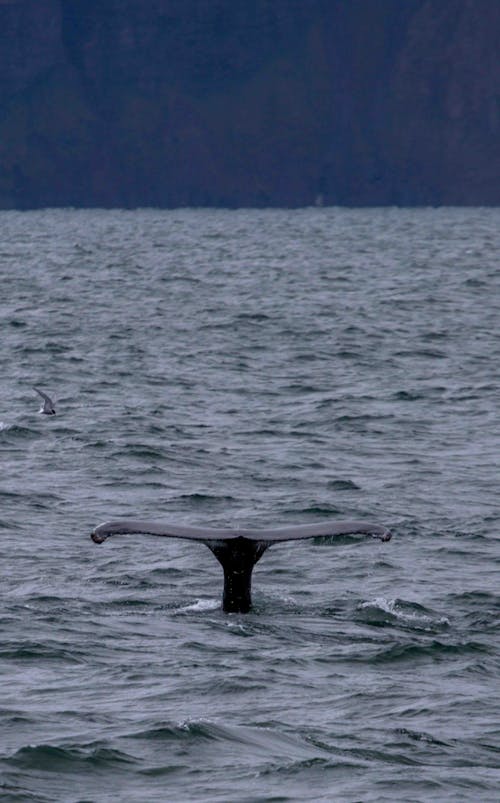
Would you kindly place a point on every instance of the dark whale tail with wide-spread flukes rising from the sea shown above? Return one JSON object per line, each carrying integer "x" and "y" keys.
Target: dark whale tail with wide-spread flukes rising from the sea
{"x": 238, "y": 550}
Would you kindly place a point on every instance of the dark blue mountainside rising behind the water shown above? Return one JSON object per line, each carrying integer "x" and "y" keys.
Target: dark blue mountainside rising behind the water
{"x": 249, "y": 102}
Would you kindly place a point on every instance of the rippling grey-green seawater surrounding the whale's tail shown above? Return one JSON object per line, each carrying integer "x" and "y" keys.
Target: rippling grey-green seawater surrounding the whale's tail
{"x": 250, "y": 368}
